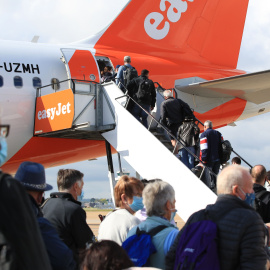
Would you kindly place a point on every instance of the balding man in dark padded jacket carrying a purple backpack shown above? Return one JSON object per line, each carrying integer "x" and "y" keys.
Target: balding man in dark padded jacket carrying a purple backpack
{"x": 240, "y": 230}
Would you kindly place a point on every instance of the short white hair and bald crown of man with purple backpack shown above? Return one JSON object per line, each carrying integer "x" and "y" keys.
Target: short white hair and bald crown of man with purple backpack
{"x": 229, "y": 177}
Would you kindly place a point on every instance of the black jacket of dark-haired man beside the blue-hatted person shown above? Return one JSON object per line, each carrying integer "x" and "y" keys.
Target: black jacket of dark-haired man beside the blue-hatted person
{"x": 69, "y": 219}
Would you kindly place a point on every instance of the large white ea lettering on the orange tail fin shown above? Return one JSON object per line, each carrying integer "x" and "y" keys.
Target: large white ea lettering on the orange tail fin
{"x": 154, "y": 20}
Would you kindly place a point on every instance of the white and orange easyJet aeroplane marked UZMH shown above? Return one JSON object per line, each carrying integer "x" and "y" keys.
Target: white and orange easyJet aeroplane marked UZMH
{"x": 190, "y": 45}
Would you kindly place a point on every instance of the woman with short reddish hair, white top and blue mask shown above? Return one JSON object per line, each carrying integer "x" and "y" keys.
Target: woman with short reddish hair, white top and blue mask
{"x": 128, "y": 197}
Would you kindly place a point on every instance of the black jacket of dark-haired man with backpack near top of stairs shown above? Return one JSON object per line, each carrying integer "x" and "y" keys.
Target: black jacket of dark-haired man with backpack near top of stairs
{"x": 133, "y": 87}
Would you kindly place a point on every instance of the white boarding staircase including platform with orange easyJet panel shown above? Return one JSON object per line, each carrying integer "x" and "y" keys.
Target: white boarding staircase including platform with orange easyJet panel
{"x": 97, "y": 112}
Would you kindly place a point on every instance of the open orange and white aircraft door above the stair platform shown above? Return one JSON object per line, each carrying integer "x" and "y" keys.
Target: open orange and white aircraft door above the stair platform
{"x": 80, "y": 65}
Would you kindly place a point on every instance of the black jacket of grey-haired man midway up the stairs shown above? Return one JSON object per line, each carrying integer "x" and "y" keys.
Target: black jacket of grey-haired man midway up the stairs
{"x": 171, "y": 112}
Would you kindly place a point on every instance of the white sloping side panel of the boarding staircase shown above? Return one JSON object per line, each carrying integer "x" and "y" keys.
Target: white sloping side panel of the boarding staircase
{"x": 151, "y": 158}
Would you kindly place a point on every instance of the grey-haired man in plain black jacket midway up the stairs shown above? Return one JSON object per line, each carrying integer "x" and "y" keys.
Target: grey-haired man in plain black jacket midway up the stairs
{"x": 171, "y": 114}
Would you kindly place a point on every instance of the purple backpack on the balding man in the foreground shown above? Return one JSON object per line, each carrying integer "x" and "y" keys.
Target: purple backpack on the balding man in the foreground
{"x": 197, "y": 246}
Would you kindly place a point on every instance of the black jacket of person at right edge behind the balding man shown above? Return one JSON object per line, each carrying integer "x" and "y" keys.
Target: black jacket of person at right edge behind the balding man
{"x": 264, "y": 195}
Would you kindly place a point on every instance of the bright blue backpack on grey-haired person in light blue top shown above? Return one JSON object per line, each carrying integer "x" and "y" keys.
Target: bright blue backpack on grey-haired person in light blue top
{"x": 139, "y": 246}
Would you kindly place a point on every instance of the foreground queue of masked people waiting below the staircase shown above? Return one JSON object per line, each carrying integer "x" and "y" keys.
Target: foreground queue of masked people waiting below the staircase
{"x": 54, "y": 234}
